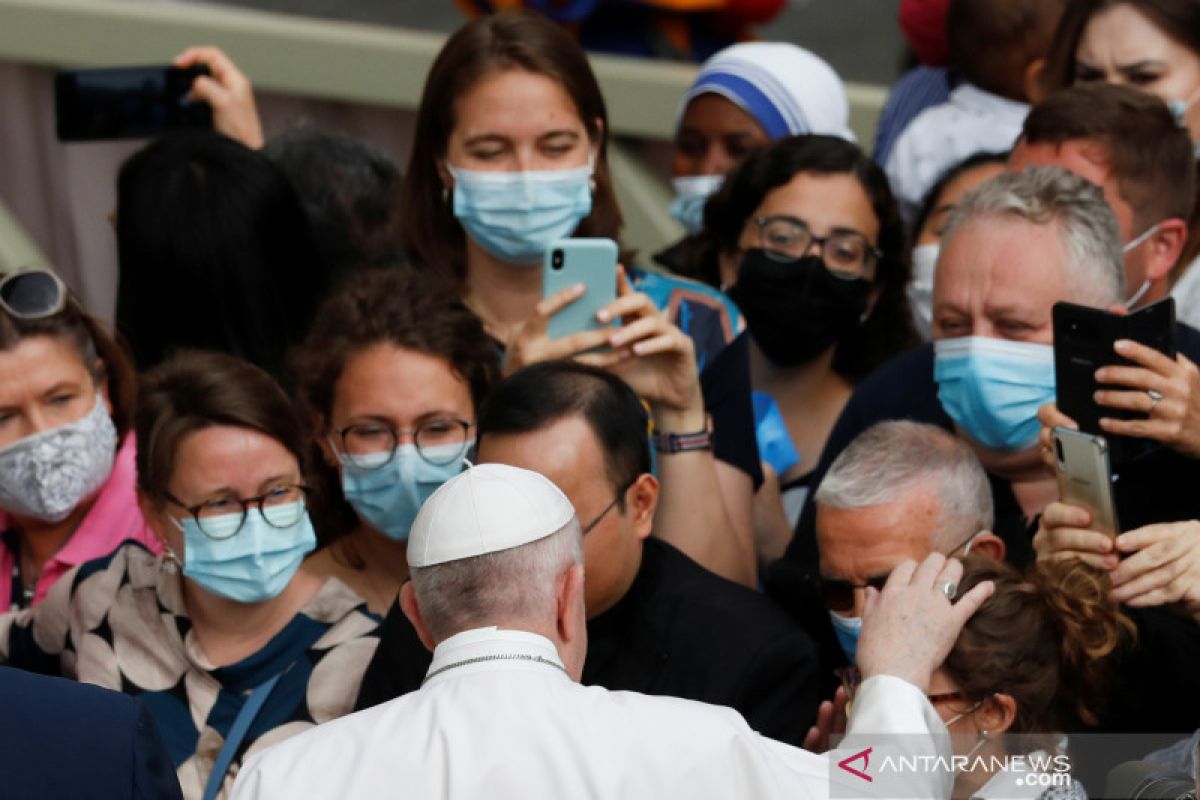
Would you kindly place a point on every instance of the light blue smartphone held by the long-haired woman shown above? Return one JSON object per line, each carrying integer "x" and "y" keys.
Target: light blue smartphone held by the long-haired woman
{"x": 591, "y": 262}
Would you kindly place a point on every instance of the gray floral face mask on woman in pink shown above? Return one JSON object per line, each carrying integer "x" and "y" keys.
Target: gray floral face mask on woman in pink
{"x": 47, "y": 474}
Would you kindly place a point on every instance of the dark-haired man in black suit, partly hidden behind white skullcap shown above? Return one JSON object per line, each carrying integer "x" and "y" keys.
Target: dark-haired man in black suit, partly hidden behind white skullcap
{"x": 658, "y": 623}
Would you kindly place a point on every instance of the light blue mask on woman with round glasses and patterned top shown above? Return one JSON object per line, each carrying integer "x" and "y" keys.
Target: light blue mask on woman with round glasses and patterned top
{"x": 254, "y": 564}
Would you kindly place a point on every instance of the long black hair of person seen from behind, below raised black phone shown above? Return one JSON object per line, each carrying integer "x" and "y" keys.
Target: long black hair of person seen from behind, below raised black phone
{"x": 214, "y": 254}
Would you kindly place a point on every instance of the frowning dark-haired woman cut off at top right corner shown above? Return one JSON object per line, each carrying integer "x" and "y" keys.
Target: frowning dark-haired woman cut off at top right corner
{"x": 1153, "y": 46}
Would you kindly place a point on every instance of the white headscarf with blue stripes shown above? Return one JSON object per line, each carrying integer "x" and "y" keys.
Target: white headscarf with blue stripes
{"x": 788, "y": 89}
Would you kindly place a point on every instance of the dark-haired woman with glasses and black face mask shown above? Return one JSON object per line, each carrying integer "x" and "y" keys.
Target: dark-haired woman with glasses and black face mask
{"x": 807, "y": 238}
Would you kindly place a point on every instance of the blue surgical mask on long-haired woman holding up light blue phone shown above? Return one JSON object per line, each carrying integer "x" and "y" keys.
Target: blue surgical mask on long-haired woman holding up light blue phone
{"x": 515, "y": 216}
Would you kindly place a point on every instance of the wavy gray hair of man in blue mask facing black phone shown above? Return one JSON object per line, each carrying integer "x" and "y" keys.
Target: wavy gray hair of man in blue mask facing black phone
{"x": 1088, "y": 228}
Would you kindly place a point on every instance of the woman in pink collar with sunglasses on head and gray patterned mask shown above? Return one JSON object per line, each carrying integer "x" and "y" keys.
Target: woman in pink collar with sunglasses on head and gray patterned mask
{"x": 67, "y": 453}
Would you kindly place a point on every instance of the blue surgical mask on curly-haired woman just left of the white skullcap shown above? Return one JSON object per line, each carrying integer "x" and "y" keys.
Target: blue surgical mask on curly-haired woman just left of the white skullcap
{"x": 388, "y": 495}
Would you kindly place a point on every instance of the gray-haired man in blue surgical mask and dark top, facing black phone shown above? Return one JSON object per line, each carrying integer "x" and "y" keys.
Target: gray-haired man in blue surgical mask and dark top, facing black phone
{"x": 1015, "y": 248}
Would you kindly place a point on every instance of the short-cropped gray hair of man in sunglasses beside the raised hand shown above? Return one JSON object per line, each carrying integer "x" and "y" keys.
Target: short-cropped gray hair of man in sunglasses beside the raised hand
{"x": 891, "y": 460}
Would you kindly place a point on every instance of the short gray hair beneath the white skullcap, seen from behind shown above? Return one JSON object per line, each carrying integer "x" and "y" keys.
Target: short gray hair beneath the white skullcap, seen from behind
{"x": 507, "y": 588}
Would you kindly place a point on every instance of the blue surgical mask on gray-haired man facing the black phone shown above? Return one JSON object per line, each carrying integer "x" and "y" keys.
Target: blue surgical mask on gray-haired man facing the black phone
{"x": 993, "y": 389}
